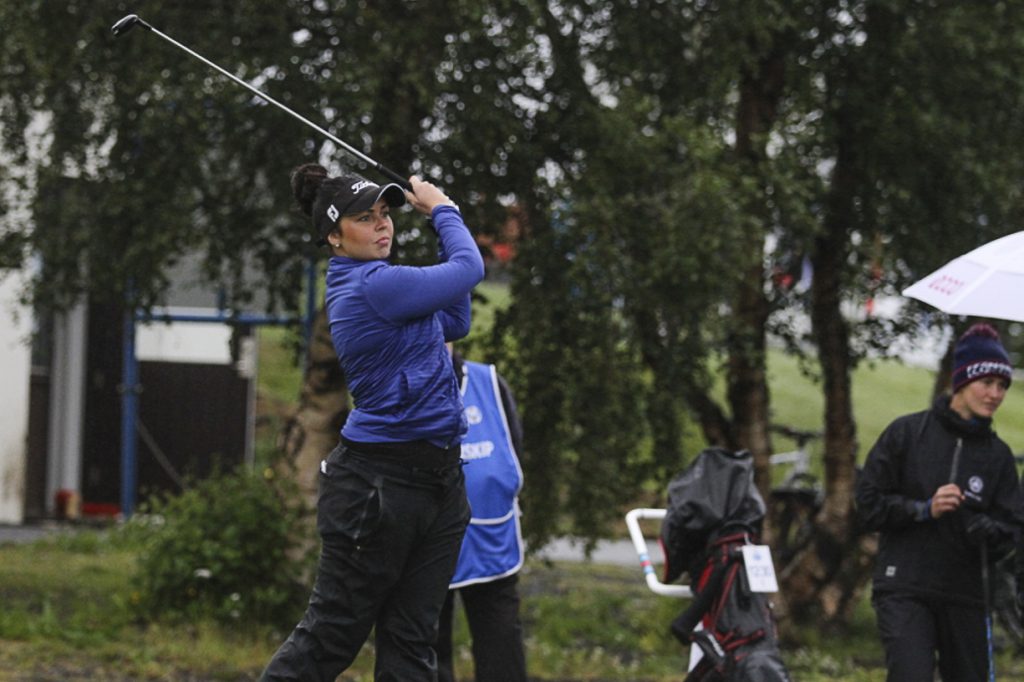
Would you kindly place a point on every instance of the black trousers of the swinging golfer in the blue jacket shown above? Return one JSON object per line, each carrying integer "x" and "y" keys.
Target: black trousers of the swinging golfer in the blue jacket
{"x": 392, "y": 530}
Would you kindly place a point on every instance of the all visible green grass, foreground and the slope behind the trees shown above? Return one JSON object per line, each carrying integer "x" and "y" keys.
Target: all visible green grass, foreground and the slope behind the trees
{"x": 67, "y": 603}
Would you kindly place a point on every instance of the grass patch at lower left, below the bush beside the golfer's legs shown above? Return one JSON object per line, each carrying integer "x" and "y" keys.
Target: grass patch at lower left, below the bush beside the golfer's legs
{"x": 68, "y": 615}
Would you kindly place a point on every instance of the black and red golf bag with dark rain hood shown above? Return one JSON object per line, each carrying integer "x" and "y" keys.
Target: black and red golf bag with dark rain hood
{"x": 714, "y": 510}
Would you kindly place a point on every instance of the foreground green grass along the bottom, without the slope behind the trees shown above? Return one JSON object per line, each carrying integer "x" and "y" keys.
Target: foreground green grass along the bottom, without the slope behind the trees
{"x": 68, "y": 616}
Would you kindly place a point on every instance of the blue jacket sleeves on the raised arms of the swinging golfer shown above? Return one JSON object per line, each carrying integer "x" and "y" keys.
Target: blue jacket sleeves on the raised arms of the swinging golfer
{"x": 403, "y": 292}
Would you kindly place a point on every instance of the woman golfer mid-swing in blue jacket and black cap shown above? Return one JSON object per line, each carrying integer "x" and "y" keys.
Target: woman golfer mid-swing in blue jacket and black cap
{"x": 393, "y": 504}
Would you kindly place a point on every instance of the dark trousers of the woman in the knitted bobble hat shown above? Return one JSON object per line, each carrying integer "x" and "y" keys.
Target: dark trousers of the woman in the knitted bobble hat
{"x": 915, "y": 629}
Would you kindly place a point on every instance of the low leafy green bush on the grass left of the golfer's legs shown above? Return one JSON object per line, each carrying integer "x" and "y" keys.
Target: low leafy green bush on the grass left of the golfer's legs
{"x": 223, "y": 550}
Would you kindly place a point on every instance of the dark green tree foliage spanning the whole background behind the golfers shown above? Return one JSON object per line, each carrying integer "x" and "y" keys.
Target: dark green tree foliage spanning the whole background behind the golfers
{"x": 672, "y": 168}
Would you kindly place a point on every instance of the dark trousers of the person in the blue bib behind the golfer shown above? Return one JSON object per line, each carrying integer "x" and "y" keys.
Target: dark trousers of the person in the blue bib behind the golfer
{"x": 493, "y": 613}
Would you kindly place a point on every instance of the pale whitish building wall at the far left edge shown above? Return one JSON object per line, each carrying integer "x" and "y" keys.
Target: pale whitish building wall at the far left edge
{"x": 16, "y": 367}
